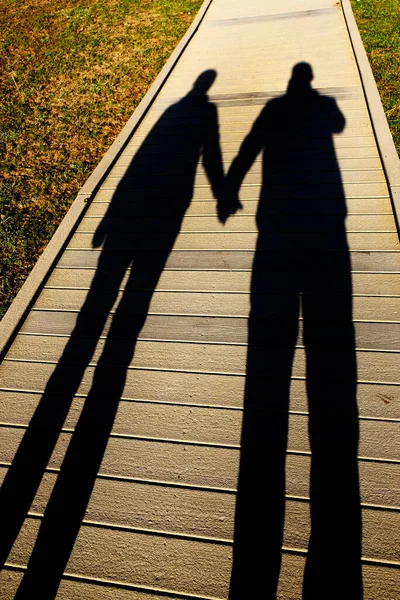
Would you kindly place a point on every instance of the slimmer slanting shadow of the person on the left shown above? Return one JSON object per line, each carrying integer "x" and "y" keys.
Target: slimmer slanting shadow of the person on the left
{"x": 138, "y": 233}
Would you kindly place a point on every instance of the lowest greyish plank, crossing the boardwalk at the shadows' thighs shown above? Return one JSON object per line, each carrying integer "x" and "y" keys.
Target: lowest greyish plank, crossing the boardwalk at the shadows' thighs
{"x": 225, "y": 330}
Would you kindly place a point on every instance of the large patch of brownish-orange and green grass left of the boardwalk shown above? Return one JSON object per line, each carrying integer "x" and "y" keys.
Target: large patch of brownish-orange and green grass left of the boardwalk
{"x": 71, "y": 74}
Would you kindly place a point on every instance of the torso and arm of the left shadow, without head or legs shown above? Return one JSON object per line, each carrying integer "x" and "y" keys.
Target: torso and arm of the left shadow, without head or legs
{"x": 157, "y": 188}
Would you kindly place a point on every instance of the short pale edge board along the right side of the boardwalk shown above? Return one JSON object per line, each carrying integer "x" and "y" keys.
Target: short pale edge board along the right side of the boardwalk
{"x": 384, "y": 139}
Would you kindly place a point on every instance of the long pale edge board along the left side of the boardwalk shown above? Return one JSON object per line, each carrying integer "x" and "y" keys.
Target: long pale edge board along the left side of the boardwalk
{"x": 22, "y": 303}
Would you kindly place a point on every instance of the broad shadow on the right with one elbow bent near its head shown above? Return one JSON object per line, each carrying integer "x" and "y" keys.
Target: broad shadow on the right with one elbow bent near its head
{"x": 301, "y": 262}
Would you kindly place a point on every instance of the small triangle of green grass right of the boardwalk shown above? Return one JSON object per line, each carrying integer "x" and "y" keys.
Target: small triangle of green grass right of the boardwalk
{"x": 379, "y": 25}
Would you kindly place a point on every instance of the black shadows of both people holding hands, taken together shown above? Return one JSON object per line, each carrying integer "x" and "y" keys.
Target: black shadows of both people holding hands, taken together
{"x": 301, "y": 257}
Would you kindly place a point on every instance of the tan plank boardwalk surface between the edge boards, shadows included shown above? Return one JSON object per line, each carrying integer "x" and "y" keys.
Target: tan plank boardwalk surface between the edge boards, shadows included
{"x": 157, "y": 362}
